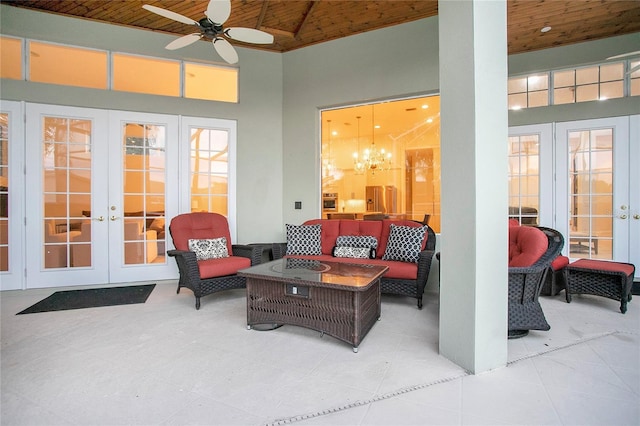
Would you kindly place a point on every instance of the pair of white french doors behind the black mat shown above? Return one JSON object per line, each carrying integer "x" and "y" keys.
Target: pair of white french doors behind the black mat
{"x": 98, "y": 183}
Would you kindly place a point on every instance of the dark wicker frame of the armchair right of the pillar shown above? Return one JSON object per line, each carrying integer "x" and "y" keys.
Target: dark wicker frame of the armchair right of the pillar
{"x": 525, "y": 284}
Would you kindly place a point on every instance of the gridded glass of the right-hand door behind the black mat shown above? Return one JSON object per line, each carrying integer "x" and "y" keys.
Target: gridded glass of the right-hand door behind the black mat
{"x": 144, "y": 164}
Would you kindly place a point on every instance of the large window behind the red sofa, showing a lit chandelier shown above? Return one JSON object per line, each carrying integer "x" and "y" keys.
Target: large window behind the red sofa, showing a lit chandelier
{"x": 383, "y": 159}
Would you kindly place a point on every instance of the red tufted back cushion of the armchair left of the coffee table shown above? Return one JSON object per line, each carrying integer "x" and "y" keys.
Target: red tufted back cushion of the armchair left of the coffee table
{"x": 198, "y": 226}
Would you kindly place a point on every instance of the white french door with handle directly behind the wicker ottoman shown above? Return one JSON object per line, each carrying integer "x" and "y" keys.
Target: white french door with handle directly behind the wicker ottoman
{"x": 597, "y": 199}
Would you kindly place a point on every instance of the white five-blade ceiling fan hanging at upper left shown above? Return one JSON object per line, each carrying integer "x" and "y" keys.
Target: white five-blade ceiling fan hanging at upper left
{"x": 211, "y": 28}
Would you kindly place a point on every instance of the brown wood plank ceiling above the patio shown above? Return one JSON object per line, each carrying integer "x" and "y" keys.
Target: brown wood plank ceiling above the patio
{"x": 297, "y": 23}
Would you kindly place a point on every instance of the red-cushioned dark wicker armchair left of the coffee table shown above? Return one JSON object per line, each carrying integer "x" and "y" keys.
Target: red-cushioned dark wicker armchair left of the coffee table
{"x": 204, "y": 277}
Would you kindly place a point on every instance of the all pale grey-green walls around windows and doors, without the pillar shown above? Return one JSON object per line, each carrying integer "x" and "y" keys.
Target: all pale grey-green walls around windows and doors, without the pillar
{"x": 281, "y": 94}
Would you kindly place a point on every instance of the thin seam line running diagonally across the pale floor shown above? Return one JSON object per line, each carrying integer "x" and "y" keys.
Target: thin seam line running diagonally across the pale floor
{"x": 404, "y": 390}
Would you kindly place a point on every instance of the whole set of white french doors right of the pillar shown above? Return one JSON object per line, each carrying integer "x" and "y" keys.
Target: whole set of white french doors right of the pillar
{"x": 583, "y": 176}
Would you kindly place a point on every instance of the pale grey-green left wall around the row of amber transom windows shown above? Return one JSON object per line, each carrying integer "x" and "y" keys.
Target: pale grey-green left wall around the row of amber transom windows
{"x": 258, "y": 112}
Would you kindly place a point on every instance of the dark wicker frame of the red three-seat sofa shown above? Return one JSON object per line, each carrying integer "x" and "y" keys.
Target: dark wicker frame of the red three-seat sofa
{"x": 412, "y": 288}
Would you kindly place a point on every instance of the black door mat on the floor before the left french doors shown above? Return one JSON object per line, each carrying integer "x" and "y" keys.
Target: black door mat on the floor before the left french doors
{"x": 92, "y": 298}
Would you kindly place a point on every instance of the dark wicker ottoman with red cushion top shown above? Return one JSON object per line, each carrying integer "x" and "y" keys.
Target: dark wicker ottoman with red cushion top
{"x": 601, "y": 278}
